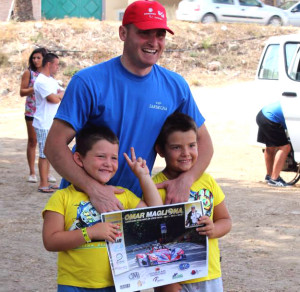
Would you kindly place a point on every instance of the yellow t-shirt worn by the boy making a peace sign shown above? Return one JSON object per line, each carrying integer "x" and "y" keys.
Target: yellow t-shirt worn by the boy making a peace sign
{"x": 88, "y": 265}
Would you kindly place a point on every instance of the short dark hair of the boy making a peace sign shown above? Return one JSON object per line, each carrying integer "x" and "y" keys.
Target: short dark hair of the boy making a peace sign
{"x": 88, "y": 136}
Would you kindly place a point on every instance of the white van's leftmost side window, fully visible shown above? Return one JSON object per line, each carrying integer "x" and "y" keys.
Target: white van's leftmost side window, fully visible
{"x": 269, "y": 65}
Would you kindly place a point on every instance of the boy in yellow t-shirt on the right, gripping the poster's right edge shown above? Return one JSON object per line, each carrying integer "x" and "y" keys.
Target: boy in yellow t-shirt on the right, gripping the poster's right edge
{"x": 177, "y": 144}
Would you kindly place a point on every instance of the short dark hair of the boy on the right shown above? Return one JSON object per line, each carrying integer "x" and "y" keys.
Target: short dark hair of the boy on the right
{"x": 175, "y": 122}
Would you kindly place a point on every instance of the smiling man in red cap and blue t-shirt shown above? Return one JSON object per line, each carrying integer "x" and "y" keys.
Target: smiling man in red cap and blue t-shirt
{"x": 133, "y": 96}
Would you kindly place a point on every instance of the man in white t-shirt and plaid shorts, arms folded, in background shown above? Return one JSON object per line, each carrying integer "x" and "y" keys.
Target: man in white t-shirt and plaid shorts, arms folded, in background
{"x": 48, "y": 95}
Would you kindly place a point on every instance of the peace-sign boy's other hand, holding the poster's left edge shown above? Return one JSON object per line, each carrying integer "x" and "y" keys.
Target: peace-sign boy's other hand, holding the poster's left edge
{"x": 103, "y": 231}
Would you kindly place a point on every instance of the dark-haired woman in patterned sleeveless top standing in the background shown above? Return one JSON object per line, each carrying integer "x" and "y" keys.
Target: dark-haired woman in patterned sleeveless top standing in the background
{"x": 26, "y": 89}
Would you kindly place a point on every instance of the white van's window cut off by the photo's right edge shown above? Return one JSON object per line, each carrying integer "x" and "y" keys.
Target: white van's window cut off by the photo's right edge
{"x": 292, "y": 57}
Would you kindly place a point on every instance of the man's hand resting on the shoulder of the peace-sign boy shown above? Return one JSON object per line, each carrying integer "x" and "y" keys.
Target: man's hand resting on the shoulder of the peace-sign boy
{"x": 104, "y": 200}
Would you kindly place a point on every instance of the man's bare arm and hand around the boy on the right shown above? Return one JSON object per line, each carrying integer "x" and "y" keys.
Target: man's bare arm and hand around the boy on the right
{"x": 178, "y": 189}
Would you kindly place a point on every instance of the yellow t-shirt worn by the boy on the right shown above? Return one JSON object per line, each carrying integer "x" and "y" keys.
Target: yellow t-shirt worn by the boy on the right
{"x": 207, "y": 190}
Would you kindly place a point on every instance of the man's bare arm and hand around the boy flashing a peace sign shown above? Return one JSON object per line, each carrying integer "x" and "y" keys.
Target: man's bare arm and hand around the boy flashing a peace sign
{"x": 61, "y": 158}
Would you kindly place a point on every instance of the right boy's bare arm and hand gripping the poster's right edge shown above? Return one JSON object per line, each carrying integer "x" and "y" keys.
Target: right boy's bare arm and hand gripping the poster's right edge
{"x": 220, "y": 225}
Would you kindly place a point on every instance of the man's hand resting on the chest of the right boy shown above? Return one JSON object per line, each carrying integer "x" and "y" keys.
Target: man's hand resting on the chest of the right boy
{"x": 177, "y": 190}
